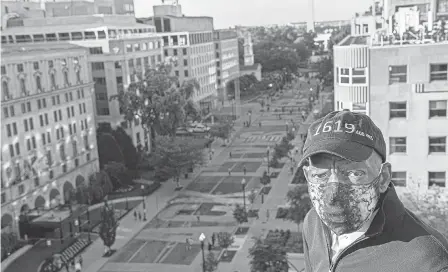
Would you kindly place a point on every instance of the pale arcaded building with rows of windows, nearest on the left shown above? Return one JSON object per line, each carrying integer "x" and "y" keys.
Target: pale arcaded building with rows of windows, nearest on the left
{"x": 48, "y": 136}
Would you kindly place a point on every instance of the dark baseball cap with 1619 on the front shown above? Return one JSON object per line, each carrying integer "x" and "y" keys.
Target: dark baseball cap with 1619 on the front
{"x": 349, "y": 135}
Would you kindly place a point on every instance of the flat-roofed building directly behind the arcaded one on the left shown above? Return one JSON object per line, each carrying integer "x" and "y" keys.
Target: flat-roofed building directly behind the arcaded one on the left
{"x": 119, "y": 51}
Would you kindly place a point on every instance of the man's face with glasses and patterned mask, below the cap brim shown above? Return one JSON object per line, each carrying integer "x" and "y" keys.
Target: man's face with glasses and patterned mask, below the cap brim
{"x": 343, "y": 192}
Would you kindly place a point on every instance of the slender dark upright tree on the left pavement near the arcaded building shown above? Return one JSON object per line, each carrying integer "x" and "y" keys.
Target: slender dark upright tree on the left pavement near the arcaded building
{"x": 108, "y": 227}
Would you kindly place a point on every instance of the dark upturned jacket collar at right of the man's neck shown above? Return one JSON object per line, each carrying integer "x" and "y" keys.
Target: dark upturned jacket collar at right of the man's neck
{"x": 390, "y": 212}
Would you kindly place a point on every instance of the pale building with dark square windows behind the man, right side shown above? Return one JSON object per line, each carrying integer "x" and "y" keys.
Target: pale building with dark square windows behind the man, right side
{"x": 402, "y": 83}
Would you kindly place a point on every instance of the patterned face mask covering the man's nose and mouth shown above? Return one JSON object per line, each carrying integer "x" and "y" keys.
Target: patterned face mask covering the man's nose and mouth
{"x": 344, "y": 208}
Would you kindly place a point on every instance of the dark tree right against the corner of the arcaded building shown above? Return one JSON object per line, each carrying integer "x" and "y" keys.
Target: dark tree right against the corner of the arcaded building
{"x": 108, "y": 149}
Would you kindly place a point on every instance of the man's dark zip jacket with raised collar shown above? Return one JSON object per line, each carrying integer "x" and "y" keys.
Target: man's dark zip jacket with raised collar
{"x": 396, "y": 241}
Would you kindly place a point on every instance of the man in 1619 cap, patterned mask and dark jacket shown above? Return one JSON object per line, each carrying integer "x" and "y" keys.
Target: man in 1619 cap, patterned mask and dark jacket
{"x": 358, "y": 222}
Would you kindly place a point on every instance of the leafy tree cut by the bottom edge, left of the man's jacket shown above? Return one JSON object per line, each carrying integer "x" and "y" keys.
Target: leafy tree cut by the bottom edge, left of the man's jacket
{"x": 268, "y": 257}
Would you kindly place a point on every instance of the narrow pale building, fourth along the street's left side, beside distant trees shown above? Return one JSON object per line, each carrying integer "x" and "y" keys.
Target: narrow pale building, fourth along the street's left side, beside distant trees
{"x": 227, "y": 60}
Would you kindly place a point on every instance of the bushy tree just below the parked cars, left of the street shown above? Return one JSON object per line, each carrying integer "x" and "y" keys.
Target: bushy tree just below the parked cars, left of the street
{"x": 175, "y": 156}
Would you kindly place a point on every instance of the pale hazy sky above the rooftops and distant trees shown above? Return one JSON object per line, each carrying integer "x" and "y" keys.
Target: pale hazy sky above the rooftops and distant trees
{"x": 227, "y": 13}
